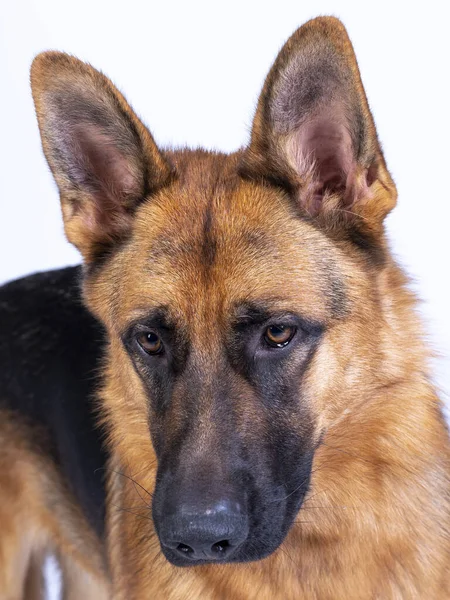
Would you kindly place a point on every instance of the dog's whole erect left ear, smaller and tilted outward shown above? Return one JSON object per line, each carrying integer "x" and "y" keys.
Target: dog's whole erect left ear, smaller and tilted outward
{"x": 103, "y": 158}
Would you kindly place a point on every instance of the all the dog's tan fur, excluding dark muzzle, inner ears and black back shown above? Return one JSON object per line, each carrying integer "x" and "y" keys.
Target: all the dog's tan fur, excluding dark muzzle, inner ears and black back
{"x": 376, "y": 521}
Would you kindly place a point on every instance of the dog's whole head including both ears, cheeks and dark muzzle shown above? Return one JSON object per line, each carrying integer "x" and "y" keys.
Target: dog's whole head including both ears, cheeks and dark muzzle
{"x": 238, "y": 291}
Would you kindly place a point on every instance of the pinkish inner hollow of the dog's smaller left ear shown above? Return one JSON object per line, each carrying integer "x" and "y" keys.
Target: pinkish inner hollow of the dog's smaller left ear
{"x": 102, "y": 166}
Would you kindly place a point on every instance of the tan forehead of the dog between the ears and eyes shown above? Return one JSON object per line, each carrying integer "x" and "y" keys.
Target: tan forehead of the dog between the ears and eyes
{"x": 204, "y": 246}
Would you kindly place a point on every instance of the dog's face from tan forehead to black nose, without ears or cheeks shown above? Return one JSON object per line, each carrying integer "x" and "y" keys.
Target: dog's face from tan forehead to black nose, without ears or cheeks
{"x": 220, "y": 340}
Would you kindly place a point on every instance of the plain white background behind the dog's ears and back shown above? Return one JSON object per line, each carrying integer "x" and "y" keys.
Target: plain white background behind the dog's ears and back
{"x": 193, "y": 70}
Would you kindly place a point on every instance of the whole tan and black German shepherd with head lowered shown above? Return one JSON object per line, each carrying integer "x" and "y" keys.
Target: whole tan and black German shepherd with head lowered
{"x": 230, "y": 399}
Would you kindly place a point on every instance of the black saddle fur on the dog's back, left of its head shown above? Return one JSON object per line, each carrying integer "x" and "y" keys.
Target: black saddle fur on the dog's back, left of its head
{"x": 50, "y": 353}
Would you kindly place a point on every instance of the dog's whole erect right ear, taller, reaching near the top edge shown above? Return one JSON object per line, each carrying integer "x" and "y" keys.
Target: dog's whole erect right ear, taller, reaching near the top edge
{"x": 313, "y": 132}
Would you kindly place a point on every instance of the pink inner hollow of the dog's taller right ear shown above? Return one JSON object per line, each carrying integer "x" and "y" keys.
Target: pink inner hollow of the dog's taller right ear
{"x": 321, "y": 151}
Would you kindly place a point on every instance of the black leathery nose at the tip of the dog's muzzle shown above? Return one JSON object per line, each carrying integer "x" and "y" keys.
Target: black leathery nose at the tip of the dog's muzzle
{"x": 213, "y": 533}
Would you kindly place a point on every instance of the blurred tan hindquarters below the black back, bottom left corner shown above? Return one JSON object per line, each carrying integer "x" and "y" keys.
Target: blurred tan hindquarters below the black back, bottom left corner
{"x": 38, "y": 517}
